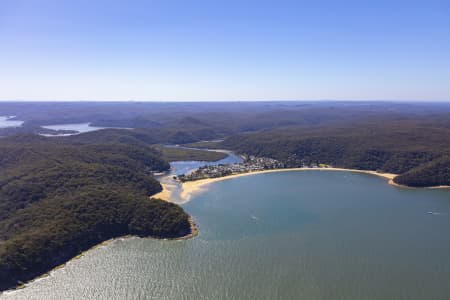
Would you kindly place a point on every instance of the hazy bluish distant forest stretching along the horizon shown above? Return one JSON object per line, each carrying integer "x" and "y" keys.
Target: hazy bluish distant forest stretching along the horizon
{"x": 176, "y": 123}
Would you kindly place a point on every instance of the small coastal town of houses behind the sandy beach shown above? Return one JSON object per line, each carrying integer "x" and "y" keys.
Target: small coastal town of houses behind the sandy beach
{"x": 250, "y": 164}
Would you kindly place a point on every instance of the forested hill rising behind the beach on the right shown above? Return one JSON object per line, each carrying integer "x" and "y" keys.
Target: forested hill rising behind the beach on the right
{"x": 418, "y": 150}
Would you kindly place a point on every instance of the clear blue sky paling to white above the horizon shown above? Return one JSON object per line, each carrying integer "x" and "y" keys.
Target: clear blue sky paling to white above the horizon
{"x": 224, "y": 50}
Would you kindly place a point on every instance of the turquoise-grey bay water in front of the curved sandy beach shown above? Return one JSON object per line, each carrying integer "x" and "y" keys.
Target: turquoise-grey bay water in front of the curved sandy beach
{"x": 288, "y": 235}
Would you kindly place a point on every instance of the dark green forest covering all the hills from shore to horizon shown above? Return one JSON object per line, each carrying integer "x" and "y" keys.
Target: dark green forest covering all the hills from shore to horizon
{"x": 60, "y": 196}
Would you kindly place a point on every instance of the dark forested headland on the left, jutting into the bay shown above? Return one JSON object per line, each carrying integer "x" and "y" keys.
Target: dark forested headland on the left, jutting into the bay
{"x": 59, "y": 198}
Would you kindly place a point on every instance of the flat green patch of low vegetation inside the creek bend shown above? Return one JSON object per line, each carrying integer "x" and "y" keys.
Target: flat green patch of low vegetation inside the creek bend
{"x": 177, "y": 154}
